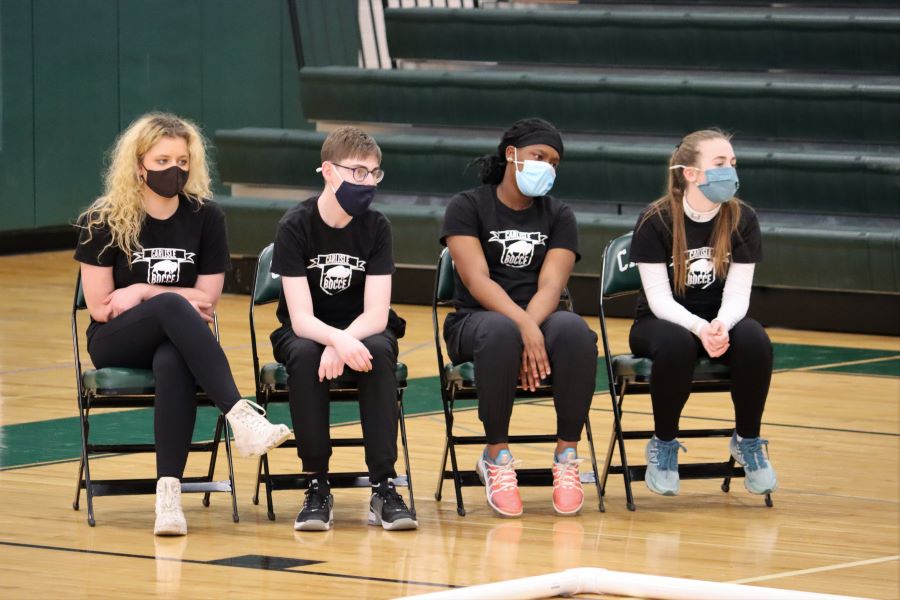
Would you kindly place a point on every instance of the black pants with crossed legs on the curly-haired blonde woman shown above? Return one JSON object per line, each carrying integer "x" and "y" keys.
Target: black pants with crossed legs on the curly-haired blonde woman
{"x": 166, "y": 334}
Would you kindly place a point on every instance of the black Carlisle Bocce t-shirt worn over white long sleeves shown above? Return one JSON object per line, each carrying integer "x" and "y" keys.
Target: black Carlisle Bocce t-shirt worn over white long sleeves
{"x": 652, "y": 243}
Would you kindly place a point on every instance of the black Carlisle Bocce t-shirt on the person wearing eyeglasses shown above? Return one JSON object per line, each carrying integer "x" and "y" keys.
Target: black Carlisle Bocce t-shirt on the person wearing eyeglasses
{"x": 335, "y": 262}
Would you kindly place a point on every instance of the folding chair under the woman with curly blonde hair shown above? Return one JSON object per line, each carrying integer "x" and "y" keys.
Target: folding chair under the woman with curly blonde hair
{"x": 115, "y": 387}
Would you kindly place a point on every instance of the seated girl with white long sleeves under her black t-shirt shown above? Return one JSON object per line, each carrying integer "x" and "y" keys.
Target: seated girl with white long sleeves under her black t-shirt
{"x": 696, "y": 249}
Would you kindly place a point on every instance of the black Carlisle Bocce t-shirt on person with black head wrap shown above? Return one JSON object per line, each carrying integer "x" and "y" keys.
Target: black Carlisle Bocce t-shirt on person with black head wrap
{"x": 514, "y": 242}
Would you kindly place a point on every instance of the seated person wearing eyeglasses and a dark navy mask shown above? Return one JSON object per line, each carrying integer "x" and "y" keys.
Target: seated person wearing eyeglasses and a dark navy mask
{"x": 334, "y": 256}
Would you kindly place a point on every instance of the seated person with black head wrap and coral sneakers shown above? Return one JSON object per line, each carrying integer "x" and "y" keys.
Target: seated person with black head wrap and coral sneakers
{"x": 514, "y": 248}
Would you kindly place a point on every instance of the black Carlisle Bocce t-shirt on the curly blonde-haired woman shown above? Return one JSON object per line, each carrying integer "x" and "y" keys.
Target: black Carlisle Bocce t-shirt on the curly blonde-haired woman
{"x": 192, "y": 242}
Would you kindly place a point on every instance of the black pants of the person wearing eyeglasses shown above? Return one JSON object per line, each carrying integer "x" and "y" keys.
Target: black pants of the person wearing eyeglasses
{"x": 309, "y": 400}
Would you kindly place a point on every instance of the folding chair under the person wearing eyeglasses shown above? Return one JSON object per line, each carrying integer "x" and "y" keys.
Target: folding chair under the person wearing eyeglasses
{"x": 272, "y": 386}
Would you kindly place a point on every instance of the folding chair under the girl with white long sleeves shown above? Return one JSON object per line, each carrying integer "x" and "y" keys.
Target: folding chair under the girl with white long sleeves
{"x": 629, "y": 374}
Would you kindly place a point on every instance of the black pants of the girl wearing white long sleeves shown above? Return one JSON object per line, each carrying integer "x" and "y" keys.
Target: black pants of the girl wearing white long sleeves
{"x": 675, "y": 350}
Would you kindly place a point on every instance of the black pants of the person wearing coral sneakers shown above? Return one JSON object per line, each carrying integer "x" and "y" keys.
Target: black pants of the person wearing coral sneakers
{"x": 494, "y": 343}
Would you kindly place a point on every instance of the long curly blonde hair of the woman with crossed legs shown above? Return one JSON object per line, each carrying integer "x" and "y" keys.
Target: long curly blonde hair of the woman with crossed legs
{"x": 120, "y": 208}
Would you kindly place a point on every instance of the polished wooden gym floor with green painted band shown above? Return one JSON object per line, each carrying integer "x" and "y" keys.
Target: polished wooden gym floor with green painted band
{"x": 832, "y": 419}
